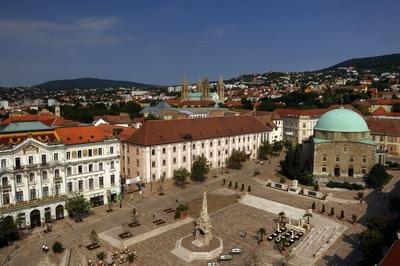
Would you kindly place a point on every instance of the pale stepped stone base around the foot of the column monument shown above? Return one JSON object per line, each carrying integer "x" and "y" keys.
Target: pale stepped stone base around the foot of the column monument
{"x": 189, "y": 256}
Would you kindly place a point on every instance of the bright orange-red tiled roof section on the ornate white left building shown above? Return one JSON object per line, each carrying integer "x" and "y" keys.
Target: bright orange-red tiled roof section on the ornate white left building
{"x": 83, "y": 134}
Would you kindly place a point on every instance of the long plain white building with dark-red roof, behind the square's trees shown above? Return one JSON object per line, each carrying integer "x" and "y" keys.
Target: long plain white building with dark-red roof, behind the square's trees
{"x": 162, "y": 146}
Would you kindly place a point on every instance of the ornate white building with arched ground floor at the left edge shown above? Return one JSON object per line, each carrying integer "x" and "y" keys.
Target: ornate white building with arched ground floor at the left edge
{"x": 40, "y": 167}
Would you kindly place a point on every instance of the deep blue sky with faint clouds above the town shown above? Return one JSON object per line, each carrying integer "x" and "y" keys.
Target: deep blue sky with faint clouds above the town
{"x": 161, "y": 42}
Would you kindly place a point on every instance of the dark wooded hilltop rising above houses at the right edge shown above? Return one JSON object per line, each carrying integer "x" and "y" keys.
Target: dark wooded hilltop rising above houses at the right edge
{"x": 390, "y": 61}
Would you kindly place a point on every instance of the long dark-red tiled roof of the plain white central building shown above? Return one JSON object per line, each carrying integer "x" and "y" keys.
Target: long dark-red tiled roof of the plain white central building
{"x": 156, "y": 132}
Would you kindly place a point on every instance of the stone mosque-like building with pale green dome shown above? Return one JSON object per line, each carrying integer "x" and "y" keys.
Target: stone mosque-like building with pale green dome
{"x": 342, "y": 145}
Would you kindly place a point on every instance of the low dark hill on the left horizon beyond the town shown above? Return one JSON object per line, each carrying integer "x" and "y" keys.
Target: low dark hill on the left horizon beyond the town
{"x": 89, "y": 83}
